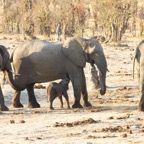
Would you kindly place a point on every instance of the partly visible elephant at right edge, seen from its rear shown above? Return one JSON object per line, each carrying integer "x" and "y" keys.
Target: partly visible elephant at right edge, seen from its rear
{"x": 139, "y": 60}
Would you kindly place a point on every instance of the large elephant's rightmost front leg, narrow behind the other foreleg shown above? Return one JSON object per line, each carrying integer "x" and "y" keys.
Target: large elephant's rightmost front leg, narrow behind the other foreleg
{"x": 84, "y": 92}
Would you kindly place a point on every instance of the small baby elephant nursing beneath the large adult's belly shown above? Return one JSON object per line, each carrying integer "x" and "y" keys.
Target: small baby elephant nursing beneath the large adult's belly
{"x": 57, "y": 90}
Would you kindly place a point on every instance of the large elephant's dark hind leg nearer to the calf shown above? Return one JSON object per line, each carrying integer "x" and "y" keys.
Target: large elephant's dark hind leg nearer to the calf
{"x": 32, "y": 99}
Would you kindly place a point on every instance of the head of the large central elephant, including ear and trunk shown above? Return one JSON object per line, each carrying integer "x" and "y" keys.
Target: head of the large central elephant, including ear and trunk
{"x": 82, "y": 50}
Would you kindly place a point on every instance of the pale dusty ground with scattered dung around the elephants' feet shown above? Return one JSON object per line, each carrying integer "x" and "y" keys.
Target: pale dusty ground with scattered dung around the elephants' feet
{"x": 114, "y": 117}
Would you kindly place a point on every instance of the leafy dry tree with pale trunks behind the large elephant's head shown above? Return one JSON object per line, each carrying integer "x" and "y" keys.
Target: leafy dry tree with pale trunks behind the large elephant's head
{"x": 113, "y": 17}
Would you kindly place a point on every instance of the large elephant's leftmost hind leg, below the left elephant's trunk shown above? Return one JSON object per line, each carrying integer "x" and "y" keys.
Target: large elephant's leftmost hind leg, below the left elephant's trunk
{"x": 16, "y": 100}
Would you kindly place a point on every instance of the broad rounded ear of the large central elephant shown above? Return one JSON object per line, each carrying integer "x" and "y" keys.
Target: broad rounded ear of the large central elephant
{"x": 74, "y": 51}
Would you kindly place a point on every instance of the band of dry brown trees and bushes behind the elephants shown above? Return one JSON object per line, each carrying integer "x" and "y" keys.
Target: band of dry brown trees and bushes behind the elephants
{"x": 111, "y": 18}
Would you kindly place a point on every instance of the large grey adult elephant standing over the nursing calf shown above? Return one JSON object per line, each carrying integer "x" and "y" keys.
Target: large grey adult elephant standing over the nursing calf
{"x": 41, "y": 61}
